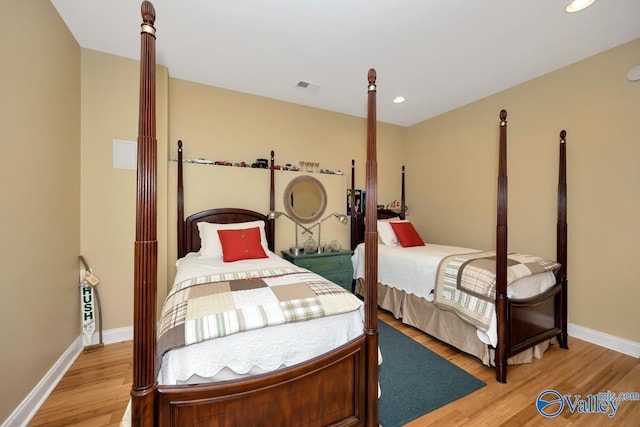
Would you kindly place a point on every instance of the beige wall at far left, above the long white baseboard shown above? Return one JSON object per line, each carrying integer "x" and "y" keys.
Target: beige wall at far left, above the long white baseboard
{"x": 40, "y": 187}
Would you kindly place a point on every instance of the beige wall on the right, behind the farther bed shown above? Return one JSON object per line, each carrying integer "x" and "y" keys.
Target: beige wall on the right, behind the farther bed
{"x": 451, "y": 180}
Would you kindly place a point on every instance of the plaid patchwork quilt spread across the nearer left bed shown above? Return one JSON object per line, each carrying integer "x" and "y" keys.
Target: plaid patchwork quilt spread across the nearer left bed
{"x": 218, "y": 305}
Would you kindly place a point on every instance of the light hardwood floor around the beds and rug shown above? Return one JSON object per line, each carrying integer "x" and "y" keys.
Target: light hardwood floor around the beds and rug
{"x": 95, "y": 391}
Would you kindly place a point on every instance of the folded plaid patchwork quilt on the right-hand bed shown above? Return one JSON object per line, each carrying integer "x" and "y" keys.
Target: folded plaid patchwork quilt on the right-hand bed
{"x": 465, "y": 283}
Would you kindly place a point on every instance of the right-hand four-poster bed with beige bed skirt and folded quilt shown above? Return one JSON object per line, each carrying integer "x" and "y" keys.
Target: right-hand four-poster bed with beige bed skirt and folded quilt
{"x": 526, "y": 314}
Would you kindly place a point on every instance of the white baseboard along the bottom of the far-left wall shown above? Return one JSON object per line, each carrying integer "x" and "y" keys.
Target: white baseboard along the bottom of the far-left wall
{"x": 30, "y": 405}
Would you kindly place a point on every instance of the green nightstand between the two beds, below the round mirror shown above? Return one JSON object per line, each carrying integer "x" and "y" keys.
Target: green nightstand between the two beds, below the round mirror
{"x": 334, "y": 266}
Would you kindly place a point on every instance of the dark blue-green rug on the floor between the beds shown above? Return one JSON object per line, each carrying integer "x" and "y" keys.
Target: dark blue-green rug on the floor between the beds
{"x": 414, "y": 380}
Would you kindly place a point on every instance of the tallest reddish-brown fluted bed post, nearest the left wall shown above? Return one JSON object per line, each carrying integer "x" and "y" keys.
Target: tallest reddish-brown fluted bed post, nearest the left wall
{"x": 146, "y": 246}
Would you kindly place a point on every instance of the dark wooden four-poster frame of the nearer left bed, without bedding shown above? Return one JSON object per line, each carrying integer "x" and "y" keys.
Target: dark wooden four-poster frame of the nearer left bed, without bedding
{"x": 338, "y": 387}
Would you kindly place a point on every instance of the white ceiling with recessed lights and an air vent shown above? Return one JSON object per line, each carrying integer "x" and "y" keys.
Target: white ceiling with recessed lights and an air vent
{"x": 439, "y": 54}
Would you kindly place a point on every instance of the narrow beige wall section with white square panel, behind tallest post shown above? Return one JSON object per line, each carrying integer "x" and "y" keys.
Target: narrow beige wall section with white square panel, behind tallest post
{"x": 108, "y": 207}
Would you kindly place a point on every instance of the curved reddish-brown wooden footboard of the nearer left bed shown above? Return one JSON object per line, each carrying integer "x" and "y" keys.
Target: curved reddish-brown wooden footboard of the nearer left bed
{"x": 326, "y": 391}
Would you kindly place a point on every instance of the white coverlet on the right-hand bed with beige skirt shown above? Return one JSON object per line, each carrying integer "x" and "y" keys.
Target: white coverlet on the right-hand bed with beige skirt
{"x": 413, "y": 270}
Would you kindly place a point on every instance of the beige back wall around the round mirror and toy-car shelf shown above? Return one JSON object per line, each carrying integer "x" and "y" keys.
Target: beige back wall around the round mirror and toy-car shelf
{"x": 218, "y": 124}
